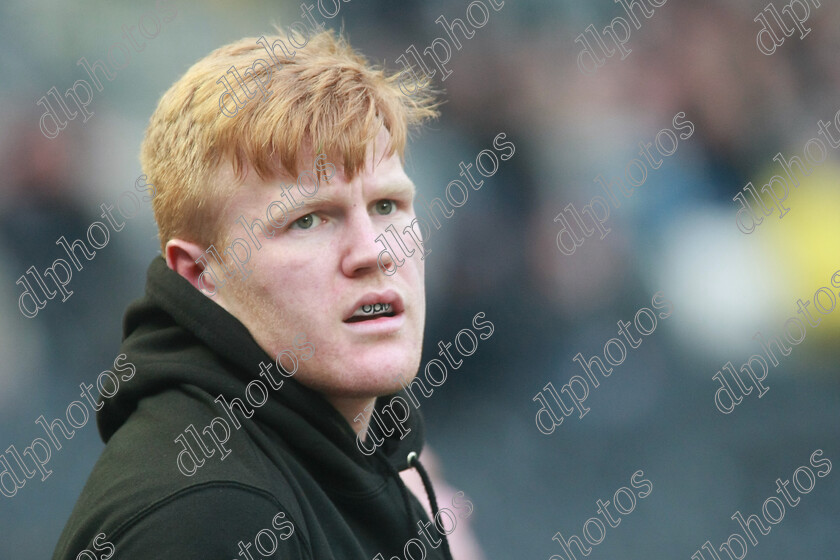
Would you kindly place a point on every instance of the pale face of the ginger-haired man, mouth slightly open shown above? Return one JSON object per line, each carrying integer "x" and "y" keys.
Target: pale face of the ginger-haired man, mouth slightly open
{"x": 321, "y": 267}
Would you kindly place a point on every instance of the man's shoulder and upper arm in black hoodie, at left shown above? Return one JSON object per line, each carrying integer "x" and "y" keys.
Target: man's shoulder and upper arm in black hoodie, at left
{"x": 140, "y": 499}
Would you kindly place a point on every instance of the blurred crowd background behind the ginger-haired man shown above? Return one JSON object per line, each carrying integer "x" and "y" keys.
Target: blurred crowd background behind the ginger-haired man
{"x": 496, "y": 255}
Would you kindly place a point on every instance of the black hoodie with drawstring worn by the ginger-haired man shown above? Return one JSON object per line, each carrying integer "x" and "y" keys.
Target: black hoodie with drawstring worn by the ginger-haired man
{"x": 294, "y": 478}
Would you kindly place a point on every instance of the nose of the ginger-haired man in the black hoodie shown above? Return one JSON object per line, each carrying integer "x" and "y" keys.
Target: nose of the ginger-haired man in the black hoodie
{"x": 360, "y": 251}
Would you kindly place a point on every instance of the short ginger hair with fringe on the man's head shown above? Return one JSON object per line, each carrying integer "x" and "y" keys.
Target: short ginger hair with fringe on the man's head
{"x": 325, "y": 98}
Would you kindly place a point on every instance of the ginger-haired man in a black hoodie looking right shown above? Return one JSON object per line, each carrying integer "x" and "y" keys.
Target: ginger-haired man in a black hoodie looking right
{"x": 244, "y": 429}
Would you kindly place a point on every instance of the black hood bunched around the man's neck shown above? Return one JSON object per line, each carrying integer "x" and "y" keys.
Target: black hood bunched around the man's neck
{"x": 176, "y": 336}
